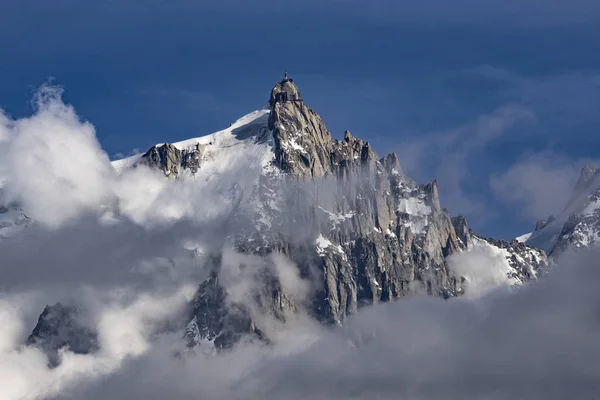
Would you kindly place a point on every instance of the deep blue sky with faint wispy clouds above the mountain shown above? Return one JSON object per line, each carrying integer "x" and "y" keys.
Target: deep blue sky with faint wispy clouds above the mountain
{"x": 499, "y": 100}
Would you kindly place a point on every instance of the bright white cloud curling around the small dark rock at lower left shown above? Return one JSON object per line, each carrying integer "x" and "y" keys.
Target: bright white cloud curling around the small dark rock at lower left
{"x": 125, "y": 329}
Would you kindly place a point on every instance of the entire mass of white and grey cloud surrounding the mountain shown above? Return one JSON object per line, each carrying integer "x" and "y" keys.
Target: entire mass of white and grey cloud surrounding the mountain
{"x": 124, "y": 247}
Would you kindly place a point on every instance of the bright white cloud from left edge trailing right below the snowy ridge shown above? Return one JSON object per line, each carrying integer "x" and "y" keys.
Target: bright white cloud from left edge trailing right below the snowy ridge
{"x": 56, "y": 170}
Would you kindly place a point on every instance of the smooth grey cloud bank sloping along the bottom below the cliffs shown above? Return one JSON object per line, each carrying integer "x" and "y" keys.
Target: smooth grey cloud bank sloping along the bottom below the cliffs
{"x": 540, "y": 339}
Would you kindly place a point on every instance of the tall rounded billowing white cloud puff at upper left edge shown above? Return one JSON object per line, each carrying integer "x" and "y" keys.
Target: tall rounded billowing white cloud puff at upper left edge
{"x": 53, "y": 162}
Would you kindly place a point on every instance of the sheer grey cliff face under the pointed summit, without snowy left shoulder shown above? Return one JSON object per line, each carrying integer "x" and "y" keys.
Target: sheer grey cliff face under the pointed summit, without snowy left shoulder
{"x": 352, "y": 223}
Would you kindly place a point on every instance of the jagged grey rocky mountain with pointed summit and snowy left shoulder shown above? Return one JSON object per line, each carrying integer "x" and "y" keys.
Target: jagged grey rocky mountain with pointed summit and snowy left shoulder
{"x": 353, "y": 226}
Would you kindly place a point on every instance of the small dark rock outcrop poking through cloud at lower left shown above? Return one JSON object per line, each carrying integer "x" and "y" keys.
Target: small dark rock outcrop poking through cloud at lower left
{"x": 59, "y": 326}
